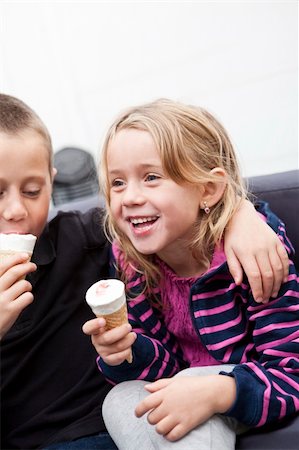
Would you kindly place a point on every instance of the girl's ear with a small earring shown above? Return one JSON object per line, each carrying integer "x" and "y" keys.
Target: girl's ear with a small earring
{"x": 213, "y": 190}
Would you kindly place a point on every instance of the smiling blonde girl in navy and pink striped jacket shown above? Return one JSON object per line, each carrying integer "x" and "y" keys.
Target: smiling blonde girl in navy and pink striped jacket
{"x": 172, "y": 185}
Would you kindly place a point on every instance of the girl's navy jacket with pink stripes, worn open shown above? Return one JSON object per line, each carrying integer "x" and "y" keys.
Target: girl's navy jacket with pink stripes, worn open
{"x": 261, "y": 339}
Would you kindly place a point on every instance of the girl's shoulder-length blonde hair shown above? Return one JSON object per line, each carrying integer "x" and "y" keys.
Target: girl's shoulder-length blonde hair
{"x": 191, "y": 142}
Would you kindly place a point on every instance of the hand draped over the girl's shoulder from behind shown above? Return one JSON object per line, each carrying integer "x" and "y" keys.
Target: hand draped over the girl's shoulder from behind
{"x": 252, "y": 244}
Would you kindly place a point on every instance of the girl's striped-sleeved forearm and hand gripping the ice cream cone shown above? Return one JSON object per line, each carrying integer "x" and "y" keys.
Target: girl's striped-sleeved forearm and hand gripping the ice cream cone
{"x": 151, "y": 358}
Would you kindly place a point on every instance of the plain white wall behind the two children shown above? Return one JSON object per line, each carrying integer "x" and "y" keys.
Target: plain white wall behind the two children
{"x": 78, "y": 63}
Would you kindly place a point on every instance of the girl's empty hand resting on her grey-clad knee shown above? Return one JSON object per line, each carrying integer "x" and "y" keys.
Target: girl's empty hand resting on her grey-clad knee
{"x": 177, "y": 405}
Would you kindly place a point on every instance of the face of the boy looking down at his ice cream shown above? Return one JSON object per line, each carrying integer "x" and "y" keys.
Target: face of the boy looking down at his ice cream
{"x": 25, "y": 183}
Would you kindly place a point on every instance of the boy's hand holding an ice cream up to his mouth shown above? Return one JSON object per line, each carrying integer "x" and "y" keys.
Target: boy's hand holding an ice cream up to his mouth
{"x": 15, "y": 292}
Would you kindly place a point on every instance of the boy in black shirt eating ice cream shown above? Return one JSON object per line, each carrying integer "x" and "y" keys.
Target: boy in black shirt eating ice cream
{"x": 51, "y": 390}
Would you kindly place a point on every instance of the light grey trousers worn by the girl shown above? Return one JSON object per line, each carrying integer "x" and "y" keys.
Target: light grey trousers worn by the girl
{"x": 132, "y": 433}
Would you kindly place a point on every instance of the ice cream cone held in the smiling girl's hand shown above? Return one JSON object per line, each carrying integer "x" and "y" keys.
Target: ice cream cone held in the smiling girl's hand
{"x": 107, "y": 299}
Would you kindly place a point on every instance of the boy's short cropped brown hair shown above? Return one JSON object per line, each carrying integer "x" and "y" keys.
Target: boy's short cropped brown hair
{"x": 16, "y": 116}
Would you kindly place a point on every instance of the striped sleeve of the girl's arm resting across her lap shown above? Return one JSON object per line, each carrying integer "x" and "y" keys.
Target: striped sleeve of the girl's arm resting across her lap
{"x": 267, "y": 387}
